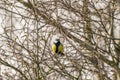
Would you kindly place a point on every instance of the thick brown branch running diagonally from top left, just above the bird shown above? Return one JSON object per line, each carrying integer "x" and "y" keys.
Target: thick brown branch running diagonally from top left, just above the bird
{"x": 54, "y": 23}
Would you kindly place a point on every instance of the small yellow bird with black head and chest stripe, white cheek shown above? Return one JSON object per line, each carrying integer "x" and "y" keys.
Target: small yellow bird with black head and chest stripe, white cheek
{"x": 57, "y": 47}
